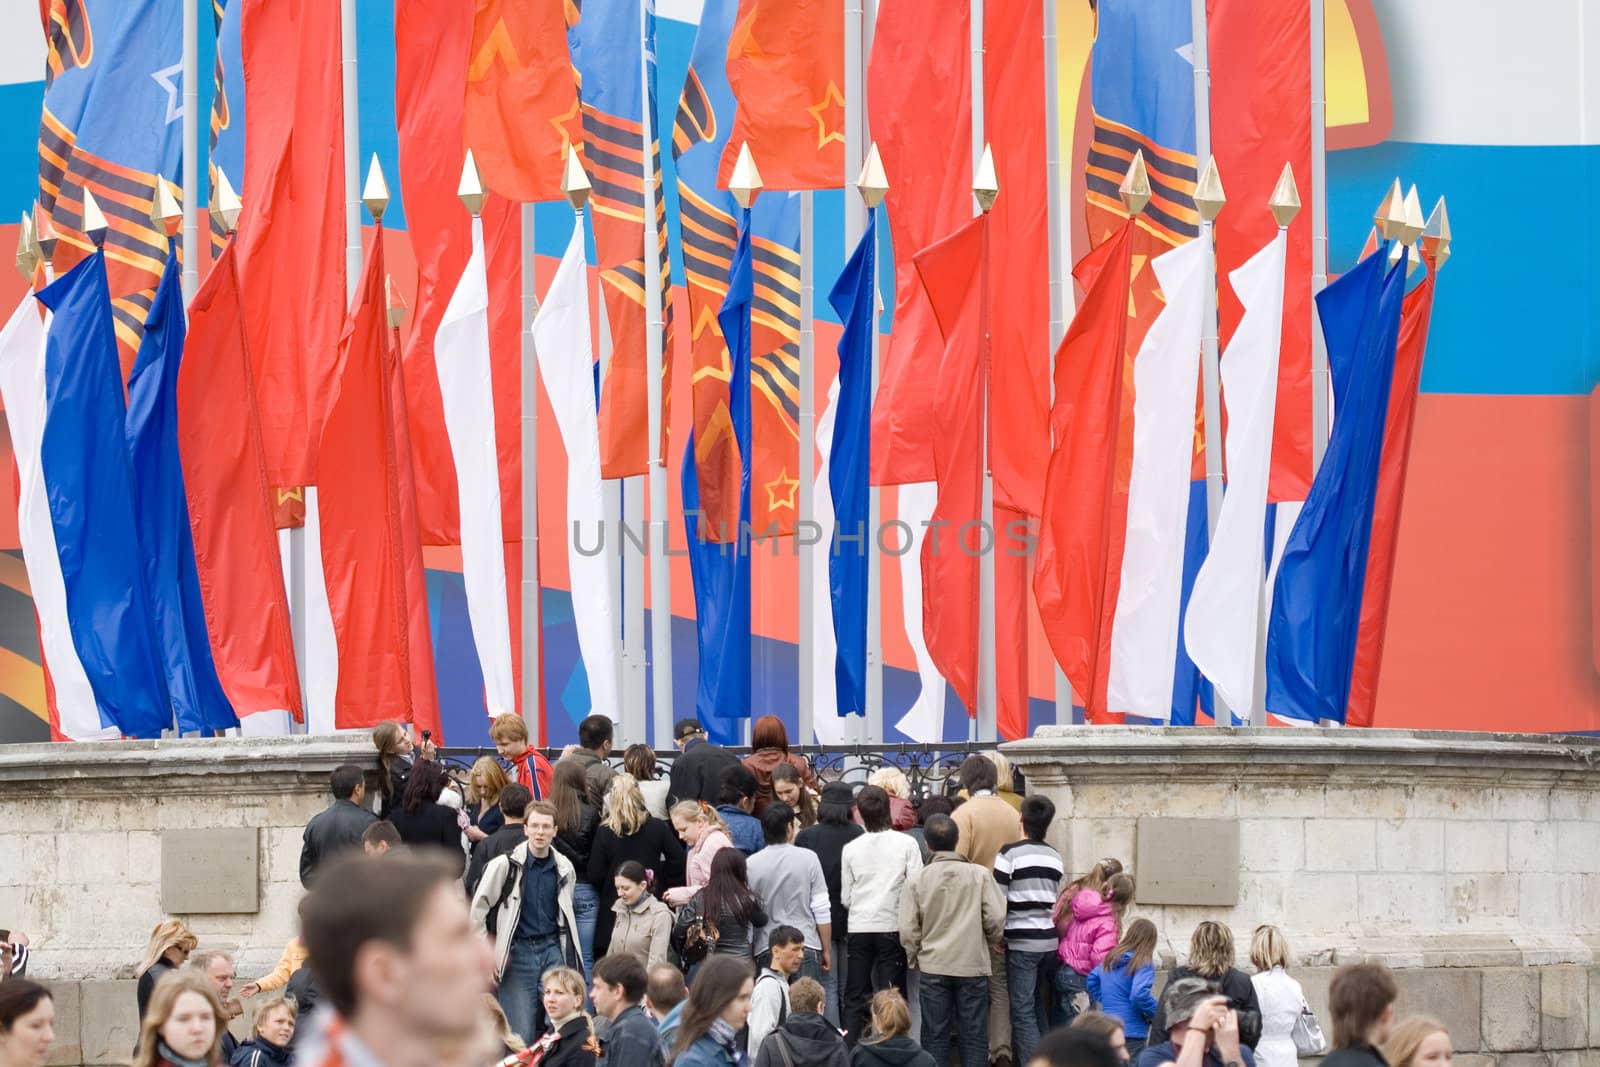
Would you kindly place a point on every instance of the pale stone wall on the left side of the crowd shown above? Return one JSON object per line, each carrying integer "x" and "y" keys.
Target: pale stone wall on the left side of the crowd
{"x": 82, "y": 836}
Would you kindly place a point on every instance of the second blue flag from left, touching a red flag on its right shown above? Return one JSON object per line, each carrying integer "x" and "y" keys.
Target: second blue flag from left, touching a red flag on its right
{"x": 162, "y": 513}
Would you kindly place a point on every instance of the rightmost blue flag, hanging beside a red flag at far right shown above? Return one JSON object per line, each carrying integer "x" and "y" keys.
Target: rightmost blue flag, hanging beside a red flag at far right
{"x": 1318, "y": 597}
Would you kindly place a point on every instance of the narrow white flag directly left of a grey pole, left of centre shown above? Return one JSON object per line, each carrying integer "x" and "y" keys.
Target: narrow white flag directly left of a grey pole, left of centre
{"x": 462, "y": 350}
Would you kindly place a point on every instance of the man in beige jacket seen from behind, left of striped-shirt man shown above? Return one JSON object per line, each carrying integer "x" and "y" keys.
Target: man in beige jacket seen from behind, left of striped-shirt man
{"x": 951, "y": 919}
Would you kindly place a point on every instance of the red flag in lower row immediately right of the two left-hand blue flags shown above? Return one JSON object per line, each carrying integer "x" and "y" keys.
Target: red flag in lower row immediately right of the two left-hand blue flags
{"x": 231, "y": 505}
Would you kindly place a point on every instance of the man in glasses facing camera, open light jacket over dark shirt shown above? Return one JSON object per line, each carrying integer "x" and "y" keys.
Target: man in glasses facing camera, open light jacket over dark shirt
{"x": 526, "y": 903}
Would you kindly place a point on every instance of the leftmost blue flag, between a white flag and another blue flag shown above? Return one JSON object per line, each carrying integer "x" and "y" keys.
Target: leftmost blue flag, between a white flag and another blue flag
{"x": 89, "y": 481}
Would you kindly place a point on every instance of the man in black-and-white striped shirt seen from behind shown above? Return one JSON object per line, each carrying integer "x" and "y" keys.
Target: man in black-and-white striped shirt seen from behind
{"x": 1030, "y": 873}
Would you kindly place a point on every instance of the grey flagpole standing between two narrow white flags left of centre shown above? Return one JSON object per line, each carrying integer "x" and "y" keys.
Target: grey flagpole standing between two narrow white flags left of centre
{"x": 532, "y": 610}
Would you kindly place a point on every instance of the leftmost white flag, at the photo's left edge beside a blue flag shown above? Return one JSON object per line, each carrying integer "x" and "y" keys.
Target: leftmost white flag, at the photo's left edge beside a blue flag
{"x": 23, "y": 386}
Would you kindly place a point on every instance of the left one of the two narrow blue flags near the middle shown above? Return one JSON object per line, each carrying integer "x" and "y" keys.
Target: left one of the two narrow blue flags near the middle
{"x": 722, "y": 572}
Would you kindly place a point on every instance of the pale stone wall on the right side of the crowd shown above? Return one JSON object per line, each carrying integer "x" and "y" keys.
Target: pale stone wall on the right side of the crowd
{"x": 1470, "y": 863}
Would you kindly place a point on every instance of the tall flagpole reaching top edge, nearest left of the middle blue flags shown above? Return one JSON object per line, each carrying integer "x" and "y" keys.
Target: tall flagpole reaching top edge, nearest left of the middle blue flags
{"x": 660, "y": 658}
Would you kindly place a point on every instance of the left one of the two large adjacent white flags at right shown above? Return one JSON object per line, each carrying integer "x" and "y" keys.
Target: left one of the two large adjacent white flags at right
{"x": 1166, "y": 372}
